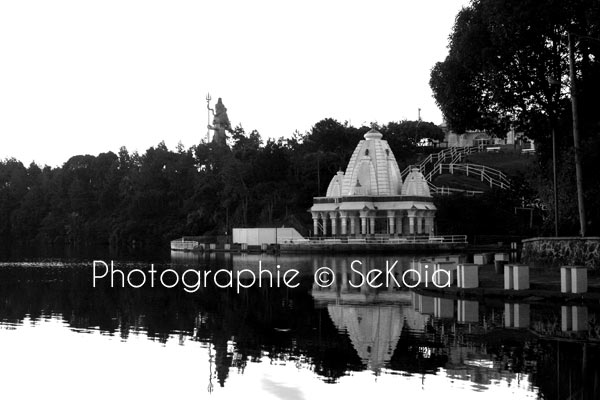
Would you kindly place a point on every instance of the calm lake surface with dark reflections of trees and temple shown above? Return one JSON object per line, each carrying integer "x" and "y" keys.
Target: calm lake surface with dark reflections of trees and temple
{"x": 60, "y": 337}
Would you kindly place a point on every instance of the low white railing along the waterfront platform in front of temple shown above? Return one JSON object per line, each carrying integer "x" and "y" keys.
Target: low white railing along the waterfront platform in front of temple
{"x": 377, "y": 239}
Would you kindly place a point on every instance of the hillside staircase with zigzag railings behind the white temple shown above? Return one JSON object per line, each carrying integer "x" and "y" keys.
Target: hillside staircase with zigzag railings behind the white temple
{"x": 450, "y": 161}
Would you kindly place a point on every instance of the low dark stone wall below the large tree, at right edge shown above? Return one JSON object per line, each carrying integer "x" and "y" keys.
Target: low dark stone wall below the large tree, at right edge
{"x": 562, "y": 251}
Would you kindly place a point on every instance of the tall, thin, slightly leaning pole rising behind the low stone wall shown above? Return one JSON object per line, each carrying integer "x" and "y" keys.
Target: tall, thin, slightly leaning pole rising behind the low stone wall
{"x": 576, "y": 145}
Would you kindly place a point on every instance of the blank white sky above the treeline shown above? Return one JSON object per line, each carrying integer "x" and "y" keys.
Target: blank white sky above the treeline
{"x": 84, "y": 77}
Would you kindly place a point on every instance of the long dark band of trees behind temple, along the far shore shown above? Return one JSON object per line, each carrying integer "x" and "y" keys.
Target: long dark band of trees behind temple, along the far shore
{"x": 153, "y": 197}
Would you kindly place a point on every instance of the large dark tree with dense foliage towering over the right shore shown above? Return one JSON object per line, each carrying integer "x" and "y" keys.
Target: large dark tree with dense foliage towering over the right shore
{"x": 508, "y": 66}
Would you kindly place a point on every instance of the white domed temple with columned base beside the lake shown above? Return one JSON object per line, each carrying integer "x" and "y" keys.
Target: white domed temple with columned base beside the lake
{"x": 370, "y": 197}
